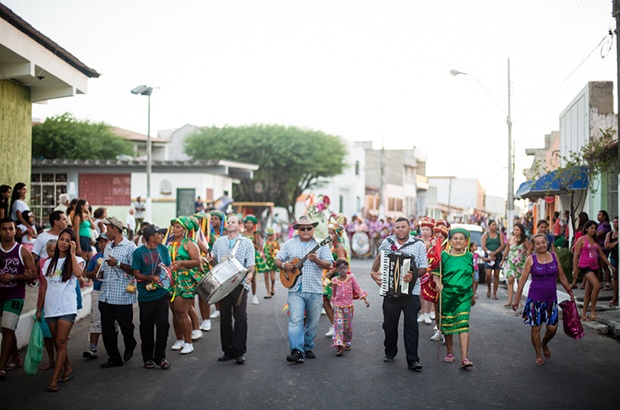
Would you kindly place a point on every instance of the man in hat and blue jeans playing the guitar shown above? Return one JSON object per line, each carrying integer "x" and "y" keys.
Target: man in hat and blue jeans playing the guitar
{"x": 306, "y": 295}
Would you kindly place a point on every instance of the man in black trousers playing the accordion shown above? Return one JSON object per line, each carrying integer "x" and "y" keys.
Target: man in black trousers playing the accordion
{"x": 403, "y": 242}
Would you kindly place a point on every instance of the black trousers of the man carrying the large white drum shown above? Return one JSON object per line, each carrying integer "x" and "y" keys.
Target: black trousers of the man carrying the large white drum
{"x": 234, "y": 336}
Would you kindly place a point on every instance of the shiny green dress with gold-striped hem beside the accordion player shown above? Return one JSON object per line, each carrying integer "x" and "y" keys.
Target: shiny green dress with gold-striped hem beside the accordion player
{"x": 457, "y": 281}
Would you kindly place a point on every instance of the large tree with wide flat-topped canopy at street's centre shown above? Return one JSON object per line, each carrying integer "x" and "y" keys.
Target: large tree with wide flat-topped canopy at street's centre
{"x": 290, "y": 159}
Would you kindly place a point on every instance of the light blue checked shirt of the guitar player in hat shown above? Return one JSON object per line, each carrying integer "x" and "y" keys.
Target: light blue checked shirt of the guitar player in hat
{"x": 312, "y": 274}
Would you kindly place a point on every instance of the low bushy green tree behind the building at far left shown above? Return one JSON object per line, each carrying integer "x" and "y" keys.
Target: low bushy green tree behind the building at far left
{"x": 64, "y": 137}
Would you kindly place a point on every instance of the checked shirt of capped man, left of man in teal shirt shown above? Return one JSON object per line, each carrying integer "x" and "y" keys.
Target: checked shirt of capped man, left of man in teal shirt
{"x": 115, "y": 280}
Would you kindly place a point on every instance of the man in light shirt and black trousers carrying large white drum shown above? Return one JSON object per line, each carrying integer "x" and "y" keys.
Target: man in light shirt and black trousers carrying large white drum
{"x": 234, "y": 339}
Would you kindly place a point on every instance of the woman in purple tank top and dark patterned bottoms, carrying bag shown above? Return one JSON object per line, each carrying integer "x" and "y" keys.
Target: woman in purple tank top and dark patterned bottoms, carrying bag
{"x": 541, "y": 305}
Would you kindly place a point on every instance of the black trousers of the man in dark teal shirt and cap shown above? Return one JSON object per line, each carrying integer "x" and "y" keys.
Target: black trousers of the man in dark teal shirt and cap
{"x": 154, "y": 327}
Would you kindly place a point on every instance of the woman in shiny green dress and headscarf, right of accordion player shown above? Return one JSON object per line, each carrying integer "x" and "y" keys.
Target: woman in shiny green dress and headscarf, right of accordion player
{"x": 455, "y": 283}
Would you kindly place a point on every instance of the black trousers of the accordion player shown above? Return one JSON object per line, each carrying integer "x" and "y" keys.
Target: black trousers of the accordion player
{"x": 410, "y": 306}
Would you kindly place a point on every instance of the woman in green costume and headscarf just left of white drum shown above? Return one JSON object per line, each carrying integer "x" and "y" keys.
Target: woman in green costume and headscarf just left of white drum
{"x": 185, "y": 256}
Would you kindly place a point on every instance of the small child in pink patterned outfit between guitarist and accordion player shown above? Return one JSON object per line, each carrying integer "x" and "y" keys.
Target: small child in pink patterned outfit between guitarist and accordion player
{"x": 344, "y": 289}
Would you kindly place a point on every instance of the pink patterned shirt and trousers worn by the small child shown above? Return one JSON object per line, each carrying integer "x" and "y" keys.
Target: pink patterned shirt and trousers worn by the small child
{"x": 347, "y": 289}
